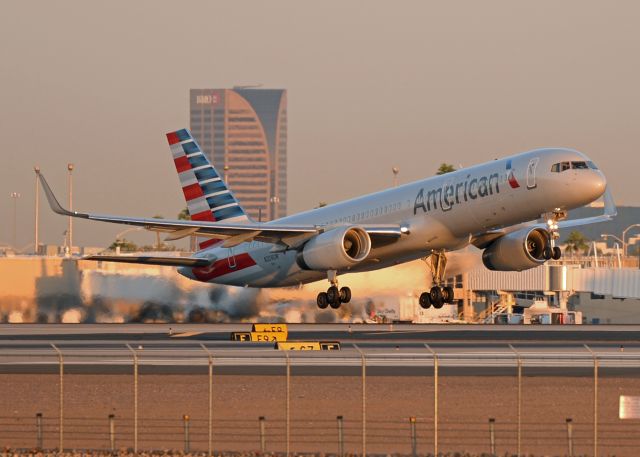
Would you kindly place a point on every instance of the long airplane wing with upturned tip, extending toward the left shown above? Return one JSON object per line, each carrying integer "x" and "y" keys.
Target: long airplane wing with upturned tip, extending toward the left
{"x": 290, "y": 236}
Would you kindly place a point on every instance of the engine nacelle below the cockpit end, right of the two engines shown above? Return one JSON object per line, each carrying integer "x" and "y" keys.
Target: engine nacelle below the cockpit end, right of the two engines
{"x": 517, "y": 251}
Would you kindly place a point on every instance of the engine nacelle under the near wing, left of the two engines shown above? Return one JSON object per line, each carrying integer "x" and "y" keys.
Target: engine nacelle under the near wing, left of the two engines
{"x": 335, "y": 249}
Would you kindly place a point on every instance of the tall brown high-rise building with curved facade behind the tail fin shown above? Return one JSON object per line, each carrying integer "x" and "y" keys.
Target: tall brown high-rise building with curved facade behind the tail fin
{"x": 244, "y": 133}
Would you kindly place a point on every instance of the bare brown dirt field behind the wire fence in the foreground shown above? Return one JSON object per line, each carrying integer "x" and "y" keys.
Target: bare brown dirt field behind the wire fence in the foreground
{"x": 465, "y": 406}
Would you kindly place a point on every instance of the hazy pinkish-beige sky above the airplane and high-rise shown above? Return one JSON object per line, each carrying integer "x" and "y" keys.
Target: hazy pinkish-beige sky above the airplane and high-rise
{"x": 370, "y": 85}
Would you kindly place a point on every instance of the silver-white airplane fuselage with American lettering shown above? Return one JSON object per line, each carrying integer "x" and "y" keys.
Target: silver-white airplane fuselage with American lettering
{"x": 440, "y": 212}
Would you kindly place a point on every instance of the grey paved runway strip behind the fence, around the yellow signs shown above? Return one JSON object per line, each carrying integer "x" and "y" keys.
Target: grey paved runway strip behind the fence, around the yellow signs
{"x": 386, "y": 349}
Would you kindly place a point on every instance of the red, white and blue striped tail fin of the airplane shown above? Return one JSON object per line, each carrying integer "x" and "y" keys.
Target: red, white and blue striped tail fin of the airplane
{"x": 207, "y": 195}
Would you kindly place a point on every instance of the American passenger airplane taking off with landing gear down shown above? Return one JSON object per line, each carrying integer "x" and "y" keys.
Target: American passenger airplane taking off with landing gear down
{"x": 510, "y": 208}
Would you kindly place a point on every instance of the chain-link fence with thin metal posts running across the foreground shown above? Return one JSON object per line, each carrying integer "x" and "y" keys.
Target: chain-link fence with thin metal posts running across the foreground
{"x": 411, "y": 401}
